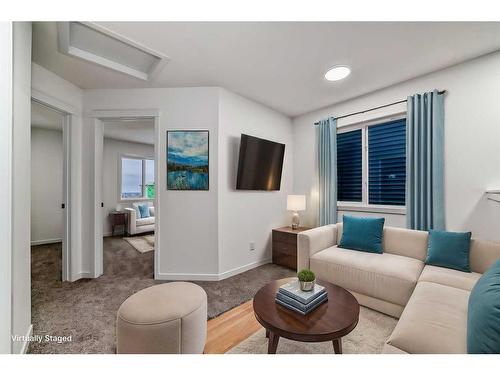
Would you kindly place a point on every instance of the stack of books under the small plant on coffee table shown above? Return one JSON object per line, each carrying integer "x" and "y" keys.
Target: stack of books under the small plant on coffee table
{"x": 290, "y": 296}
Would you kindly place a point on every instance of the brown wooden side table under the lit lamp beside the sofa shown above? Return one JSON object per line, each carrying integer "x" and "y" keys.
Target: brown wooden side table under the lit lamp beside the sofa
{"x": 285, "y": 246}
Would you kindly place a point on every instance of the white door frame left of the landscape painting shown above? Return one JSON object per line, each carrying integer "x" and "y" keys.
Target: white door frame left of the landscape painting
{"x": 97, "y": 117}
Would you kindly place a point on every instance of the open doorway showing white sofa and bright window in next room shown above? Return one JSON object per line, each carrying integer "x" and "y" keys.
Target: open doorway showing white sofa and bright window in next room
{"x": 138, "y": 189}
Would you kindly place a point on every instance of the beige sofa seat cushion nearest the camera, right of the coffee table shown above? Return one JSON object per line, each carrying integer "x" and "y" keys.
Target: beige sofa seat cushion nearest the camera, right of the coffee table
{"x": 433, "y": 321}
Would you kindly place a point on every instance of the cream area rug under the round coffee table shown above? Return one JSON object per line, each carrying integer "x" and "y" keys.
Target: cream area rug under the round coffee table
{"x": 367, "y": 338}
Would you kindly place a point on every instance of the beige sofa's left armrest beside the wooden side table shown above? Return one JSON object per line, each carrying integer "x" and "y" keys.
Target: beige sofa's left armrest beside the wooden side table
{"x": 313, "y": 240}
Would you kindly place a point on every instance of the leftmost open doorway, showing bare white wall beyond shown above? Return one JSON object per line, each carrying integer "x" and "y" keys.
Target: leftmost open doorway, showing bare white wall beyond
{"x": 50, "y": 221}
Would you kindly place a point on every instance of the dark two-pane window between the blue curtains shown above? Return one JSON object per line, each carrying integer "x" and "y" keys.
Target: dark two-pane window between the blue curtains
{"x": 371, "y": 164}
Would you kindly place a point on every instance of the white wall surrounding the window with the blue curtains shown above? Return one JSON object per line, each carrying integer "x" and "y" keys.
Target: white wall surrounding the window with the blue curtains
{"x": 472, "y": 136}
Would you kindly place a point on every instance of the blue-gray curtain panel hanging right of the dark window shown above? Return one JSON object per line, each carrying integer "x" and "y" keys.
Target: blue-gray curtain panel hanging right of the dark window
{"x": 425, "y": 162}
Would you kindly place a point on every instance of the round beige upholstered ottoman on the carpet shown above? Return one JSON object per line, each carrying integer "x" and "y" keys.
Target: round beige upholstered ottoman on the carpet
{"x": 165, "y": 318}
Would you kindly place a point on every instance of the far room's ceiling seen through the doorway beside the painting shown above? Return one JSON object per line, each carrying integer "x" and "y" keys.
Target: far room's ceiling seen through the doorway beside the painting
{"x": 141, "y": 131}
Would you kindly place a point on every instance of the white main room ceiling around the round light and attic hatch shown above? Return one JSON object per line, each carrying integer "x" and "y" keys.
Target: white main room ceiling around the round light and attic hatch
{"x": 281, "y": 64}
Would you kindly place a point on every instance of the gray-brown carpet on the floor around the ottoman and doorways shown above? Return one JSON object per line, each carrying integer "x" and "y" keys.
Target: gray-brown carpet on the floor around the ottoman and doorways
{"x": 86, "y": 309}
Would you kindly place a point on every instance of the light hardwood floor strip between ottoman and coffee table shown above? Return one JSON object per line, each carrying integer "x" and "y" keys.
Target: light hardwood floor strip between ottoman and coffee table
{"x": 229, "y": 329}
